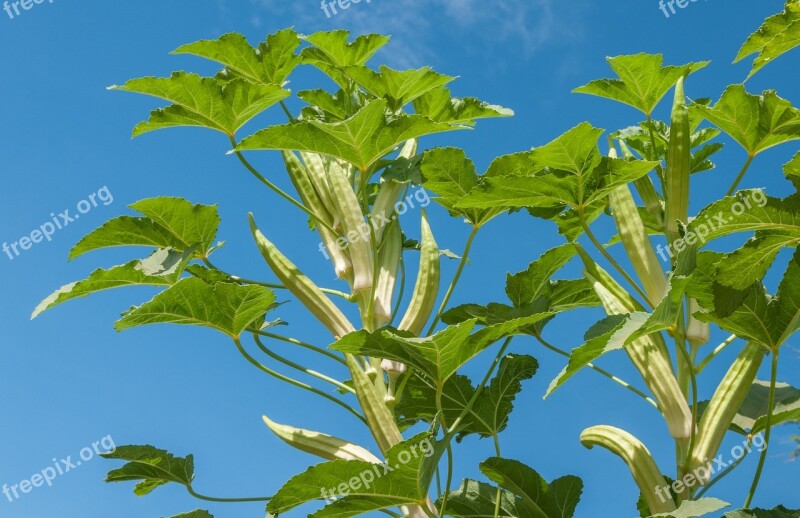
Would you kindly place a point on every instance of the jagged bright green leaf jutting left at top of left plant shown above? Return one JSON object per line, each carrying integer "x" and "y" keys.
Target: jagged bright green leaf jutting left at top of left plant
{"x": 203, "y": 101}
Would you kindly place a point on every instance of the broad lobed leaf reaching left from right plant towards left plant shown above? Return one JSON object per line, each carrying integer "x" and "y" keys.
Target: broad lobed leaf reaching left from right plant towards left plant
{"x": 570, "y": 172}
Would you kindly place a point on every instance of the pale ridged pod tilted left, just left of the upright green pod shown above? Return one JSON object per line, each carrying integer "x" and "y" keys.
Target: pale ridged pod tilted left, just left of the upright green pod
{"x": 637, "y": 243}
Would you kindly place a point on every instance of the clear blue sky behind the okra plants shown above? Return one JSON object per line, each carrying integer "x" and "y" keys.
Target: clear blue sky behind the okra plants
{"x": 69, "y": 380}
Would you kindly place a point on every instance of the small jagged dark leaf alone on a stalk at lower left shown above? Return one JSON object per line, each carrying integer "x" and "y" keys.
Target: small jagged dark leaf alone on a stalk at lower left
{"x": 151, "y": 466}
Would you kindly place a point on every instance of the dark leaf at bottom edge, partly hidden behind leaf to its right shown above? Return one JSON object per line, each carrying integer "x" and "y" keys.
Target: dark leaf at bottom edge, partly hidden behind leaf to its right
{"x": 478, "y": 500}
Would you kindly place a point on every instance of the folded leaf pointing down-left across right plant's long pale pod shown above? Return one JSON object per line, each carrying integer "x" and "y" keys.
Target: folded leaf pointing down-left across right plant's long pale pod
{"x": 610, "y": 334}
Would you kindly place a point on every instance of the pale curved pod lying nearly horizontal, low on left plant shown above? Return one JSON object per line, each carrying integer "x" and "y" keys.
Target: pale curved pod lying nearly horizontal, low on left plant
{"x": 322, "y": 445}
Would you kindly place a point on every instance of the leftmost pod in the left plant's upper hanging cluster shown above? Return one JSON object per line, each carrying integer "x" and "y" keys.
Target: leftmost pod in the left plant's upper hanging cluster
{"x": 301, "y": 178}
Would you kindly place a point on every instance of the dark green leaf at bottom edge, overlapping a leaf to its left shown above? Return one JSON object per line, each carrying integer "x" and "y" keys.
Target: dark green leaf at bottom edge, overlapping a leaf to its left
{"x": 538, "y": 498}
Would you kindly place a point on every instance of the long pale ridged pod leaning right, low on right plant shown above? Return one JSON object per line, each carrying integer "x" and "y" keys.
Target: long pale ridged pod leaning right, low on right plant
{"x": 726, "y": 402}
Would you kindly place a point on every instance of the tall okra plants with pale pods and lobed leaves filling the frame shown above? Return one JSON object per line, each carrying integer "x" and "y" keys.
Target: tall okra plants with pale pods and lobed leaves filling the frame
{"x": 353, "y": 152}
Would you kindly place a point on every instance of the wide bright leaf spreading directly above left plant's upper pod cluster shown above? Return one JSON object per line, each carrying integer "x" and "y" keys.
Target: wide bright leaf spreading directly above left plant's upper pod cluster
{"x": 361, "y": 140}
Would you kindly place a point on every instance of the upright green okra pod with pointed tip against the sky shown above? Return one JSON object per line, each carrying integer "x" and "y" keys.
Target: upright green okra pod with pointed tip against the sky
{"x": 679, "y": 164}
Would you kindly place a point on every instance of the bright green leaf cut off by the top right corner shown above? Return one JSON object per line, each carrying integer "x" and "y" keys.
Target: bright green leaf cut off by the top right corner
{"x": 778, "y": 34}
